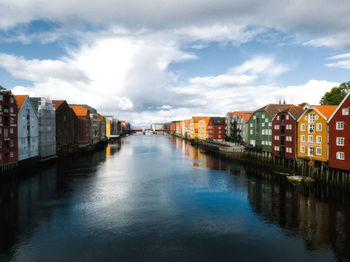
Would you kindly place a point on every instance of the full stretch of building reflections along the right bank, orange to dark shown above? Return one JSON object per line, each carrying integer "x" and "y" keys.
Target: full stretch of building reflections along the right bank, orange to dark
{"x": 305, "y": 212}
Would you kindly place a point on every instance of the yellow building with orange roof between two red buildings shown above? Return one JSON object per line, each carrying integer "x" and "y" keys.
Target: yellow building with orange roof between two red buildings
{"x": 313, "y": 132}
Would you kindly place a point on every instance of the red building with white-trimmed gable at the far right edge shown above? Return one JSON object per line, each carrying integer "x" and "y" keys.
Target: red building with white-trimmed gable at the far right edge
{"x": 339, "y": 136}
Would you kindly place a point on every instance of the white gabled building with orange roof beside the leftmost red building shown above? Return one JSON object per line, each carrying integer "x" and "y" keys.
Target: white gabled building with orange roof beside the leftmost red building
{"x": 28, "y": 129}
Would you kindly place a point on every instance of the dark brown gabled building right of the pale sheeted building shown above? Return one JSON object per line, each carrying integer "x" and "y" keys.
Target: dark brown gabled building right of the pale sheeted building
{"x": 66, "y": 127}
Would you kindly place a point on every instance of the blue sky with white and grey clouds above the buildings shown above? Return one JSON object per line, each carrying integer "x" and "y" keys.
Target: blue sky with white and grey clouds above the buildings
{"x": 161, "y": 60}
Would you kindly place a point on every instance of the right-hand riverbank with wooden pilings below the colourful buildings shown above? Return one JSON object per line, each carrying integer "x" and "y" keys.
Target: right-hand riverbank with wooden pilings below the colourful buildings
{"x": 318, "y": 171}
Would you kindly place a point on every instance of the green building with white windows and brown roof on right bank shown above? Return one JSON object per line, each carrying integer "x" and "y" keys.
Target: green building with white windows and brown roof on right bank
{"x": 260, "y": 126}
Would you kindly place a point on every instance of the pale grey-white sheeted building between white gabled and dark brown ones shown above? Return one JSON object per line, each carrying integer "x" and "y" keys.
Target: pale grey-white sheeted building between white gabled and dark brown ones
{"x": 47, "y": 125}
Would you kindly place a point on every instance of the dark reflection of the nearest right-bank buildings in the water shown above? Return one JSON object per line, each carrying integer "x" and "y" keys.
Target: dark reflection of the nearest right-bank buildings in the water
{"x": 321, "y": 224}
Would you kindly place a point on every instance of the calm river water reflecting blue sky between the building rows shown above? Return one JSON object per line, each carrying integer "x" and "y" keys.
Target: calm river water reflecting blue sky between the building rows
{"x": 156, "y": 198}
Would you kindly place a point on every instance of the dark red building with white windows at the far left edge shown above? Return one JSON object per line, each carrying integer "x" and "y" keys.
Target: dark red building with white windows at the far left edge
{"x": 8, "y": 129}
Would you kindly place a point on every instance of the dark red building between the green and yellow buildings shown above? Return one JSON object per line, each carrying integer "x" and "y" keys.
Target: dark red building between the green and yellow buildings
{"x": 285, "y": 138}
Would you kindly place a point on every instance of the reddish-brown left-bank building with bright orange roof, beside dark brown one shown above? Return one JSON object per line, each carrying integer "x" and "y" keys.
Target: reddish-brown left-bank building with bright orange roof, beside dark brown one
{"x": 84, "y": 124}
